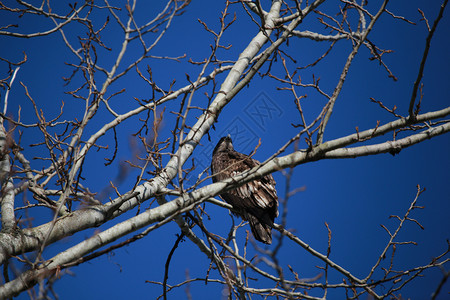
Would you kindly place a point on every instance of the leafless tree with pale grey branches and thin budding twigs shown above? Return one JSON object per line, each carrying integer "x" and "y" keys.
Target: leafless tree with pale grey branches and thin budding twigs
{"x": 110, "y": 45}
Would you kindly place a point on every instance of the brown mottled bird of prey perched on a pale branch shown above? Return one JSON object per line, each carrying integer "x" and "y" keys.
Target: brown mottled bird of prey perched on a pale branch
{"x": 255, "y": 201}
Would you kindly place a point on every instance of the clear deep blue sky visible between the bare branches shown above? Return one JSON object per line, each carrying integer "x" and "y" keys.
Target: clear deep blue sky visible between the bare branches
{"x": 353, "y": 196}
